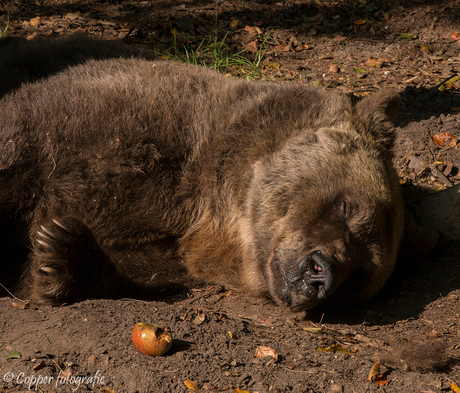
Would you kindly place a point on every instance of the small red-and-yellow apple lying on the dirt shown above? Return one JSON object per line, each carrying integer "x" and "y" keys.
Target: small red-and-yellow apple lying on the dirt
{"x": 150, "y": 339}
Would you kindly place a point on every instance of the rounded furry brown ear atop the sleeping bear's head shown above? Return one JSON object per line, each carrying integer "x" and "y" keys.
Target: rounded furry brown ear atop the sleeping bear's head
{"x": 374, "y": 117}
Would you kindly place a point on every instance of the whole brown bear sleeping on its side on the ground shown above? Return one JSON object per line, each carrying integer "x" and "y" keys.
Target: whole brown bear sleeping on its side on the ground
{"x": 129, "y": 175}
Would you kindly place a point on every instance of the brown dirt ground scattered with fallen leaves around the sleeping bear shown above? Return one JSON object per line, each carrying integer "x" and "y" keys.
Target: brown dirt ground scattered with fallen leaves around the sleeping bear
{"x": 412, "y": 327}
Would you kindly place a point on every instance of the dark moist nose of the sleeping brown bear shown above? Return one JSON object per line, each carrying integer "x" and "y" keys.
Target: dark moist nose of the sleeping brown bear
{"x": 318, "y": 274}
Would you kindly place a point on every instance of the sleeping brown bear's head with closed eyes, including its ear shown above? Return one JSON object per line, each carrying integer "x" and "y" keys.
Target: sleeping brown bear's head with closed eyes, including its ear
{"x": 325, "y": 215}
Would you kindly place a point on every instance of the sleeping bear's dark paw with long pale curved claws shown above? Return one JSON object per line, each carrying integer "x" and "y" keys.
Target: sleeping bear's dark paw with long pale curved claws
{"x": 67, "y": 265}
